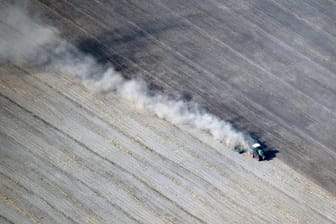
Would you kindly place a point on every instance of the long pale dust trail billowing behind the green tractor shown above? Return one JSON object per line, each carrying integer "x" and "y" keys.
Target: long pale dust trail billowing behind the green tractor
{"x": 39, "y": 44}
